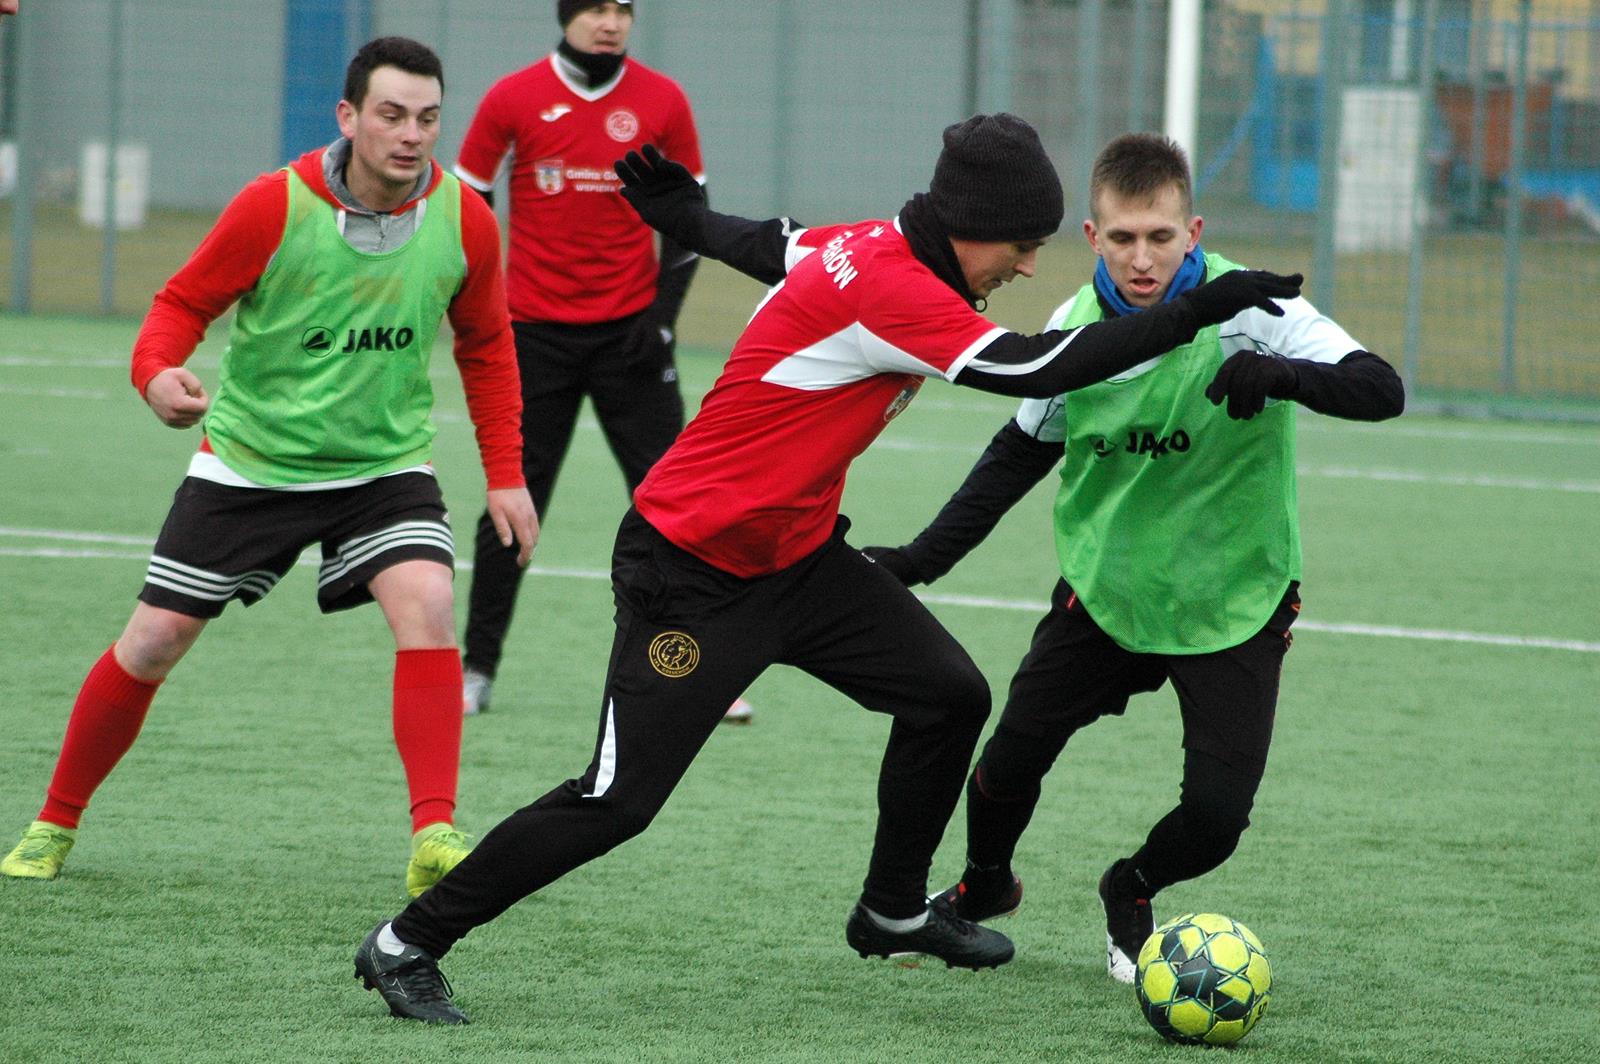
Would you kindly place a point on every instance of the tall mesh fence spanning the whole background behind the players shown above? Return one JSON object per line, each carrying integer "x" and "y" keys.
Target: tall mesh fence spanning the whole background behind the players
{"x": 1436, "y": 164}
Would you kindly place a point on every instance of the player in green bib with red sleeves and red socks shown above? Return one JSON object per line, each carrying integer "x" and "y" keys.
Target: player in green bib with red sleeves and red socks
{"x": 343, "y": 266}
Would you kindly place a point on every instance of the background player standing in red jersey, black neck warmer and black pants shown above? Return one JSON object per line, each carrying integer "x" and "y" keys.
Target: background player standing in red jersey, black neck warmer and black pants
{"x": 593, "y": 308}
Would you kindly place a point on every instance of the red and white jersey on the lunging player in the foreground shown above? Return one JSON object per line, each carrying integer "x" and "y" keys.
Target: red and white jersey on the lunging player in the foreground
{"x": 834, "y": 353}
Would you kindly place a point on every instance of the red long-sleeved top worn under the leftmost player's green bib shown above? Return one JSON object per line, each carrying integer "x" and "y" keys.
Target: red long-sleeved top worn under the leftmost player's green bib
{"x": 238, "y": 250}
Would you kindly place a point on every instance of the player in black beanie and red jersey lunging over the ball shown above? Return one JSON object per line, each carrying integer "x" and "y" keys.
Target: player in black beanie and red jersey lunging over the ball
{"x": 734, "y": 558}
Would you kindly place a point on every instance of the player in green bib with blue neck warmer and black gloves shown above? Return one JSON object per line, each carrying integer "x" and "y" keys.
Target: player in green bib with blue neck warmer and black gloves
{"x": 1177, "y": 538}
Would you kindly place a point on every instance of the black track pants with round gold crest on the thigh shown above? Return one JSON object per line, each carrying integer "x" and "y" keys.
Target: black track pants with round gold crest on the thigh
{"x": 690, "y": 639}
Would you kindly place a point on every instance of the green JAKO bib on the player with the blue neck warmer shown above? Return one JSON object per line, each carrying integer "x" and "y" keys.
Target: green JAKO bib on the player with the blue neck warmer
{"x": 1175, "y": 524}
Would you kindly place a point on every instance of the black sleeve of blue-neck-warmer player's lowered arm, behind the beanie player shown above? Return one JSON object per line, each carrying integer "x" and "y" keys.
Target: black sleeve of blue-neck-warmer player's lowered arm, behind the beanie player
{"x": 1007, "y": 471}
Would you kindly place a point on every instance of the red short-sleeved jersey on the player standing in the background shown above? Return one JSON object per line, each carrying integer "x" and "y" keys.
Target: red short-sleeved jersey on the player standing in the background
{"x": 578, "y": 252}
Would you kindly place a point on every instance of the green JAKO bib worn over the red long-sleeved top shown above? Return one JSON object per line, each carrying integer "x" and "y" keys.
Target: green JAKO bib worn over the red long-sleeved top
{"x": 326, "y": 372}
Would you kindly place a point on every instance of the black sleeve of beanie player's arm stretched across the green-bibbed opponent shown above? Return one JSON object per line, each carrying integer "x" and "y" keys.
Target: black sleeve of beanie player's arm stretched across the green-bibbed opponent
{"x": 1055, "y": 362}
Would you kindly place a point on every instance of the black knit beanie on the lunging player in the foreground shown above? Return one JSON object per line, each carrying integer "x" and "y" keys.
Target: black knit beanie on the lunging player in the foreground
{"x": 994, "y": 182}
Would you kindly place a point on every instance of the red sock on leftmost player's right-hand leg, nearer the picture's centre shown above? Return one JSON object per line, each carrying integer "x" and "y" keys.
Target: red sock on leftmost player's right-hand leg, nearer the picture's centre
{"x": 428, "y": 730}
